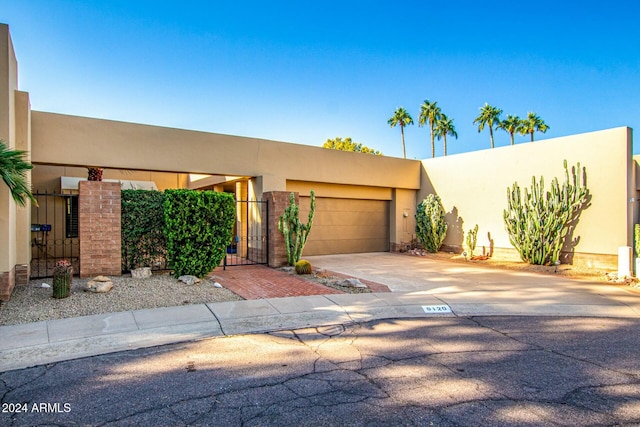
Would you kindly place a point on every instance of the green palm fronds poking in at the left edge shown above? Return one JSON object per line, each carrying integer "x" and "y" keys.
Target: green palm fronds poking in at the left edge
{"x": 13, "y": 171}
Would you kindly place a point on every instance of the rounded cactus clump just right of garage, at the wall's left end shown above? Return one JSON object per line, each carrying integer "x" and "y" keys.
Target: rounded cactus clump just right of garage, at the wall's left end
{"x": 431, "y": 227}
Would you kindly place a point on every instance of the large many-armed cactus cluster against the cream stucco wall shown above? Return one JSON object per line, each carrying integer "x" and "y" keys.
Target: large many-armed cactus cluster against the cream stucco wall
{"x": 538, "y": 223}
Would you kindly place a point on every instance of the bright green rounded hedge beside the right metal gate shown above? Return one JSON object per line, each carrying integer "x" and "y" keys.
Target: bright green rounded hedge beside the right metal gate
{"x": 198, "y": 229}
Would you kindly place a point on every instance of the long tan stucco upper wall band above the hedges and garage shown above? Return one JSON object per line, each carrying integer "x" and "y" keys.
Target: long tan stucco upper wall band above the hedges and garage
{"x": 70, "y": 140}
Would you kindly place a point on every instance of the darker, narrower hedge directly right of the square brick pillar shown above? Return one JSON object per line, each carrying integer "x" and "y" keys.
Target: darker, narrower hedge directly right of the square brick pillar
{"x": 143, "y": 241}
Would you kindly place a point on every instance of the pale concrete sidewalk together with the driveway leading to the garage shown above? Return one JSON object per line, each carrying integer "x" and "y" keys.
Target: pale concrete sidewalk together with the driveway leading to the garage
{"x": 421, "y": 288}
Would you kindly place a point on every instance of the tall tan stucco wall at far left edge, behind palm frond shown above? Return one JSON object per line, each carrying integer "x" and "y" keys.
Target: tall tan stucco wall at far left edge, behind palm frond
{"x": 8, "y": 85}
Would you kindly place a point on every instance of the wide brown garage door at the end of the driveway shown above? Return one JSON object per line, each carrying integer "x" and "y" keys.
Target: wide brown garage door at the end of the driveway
{"x": 346, "y": 226}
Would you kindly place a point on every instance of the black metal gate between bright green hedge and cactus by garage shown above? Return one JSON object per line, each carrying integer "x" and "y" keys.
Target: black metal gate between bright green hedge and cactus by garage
{"x": 251, "y": 235}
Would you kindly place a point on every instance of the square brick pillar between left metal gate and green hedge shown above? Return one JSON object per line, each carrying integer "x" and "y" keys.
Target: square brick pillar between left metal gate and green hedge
{"x": 99, "y": 229}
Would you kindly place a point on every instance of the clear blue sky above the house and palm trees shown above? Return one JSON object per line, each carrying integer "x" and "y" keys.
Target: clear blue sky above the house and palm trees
{"x": 304, "y": 72}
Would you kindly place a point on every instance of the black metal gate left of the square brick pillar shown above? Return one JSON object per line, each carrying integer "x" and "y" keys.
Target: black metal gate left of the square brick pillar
{"x": 54, "y": 233}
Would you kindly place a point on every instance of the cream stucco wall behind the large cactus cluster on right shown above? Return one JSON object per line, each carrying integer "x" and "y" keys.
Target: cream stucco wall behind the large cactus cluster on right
{"x": 473, "y": 186}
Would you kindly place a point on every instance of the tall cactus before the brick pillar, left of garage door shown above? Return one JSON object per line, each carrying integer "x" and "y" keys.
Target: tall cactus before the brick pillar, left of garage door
{"x": 295, "y": 233}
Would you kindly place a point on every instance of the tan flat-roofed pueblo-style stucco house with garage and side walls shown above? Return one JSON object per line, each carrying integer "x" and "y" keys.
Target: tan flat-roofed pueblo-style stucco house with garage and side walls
{"x": 364, "y": 203}
